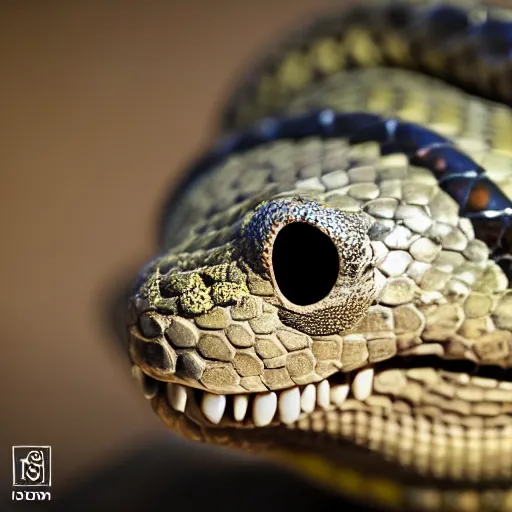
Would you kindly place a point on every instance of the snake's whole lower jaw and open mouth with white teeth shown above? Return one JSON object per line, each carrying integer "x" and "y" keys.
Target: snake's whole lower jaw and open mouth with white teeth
{"x": 424, "y": 418}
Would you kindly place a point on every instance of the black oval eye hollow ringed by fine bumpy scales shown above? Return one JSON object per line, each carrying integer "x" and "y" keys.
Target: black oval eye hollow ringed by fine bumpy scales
{"x": 305, "y": 262}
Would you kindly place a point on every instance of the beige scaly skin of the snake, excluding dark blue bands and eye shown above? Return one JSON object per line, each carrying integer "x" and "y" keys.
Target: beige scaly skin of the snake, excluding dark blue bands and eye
{"x": 220, "y": 361}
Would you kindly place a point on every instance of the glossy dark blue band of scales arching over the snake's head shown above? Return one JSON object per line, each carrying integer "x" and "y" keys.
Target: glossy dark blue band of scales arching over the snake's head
{"x": 489, "y": 209}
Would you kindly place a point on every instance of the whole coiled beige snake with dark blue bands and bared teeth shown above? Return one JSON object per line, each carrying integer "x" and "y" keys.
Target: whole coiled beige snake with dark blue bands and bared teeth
{"x": 332, "y": 282}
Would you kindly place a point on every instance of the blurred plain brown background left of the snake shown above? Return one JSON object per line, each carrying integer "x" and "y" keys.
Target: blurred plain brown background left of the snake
{"x": 102, "y": 105}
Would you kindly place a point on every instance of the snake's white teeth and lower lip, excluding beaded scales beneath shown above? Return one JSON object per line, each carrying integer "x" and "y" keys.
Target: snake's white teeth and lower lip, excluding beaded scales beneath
{"x": 398, "y": 385}
